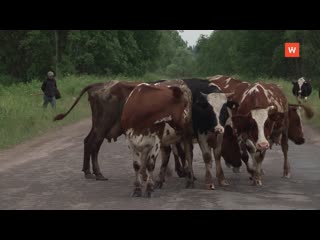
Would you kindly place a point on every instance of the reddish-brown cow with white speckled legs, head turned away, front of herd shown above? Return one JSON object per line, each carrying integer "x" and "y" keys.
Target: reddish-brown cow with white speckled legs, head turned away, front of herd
{"x": 153, "y": 118}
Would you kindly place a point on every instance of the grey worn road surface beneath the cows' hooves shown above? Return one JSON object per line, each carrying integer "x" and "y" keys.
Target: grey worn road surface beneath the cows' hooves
{"x": 45, "y": 173}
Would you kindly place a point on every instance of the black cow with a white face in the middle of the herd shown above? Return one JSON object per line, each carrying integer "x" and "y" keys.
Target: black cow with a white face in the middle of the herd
{"x": 211, "y": 111}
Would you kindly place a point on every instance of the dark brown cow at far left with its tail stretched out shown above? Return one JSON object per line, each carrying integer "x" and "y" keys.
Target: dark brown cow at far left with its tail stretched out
{"x": 106, "y": 102}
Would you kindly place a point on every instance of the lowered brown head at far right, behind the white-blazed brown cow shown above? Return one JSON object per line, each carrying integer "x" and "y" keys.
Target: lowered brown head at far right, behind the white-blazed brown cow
{"x": 295, "y": 131}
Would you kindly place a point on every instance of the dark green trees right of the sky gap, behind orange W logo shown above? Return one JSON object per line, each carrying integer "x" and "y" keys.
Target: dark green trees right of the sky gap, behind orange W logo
{"x": 259, "y": 53}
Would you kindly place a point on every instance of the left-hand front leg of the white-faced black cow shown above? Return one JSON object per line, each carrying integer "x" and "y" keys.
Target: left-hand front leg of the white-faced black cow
{"x": 207, "y": 157}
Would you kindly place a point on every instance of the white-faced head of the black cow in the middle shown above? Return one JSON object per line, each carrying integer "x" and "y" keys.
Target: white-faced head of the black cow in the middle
{"x": 222, "y": 106}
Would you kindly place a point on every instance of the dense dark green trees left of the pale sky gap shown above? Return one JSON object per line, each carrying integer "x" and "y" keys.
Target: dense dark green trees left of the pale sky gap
{"x": 29, "y": 54}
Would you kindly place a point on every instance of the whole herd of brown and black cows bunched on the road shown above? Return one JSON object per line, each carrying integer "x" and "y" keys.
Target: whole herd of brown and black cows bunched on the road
{"x": 231, "y": 118}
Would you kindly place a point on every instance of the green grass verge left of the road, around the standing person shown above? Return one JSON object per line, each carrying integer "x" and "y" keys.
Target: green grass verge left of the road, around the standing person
{"x": 22, "y": 116}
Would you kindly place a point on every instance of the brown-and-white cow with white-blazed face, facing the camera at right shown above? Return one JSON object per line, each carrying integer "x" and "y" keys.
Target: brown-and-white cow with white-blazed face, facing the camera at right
{"x": 260, "y": 120}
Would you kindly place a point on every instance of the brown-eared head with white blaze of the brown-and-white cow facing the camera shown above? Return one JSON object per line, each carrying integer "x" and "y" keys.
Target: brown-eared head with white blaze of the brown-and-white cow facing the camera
{"x": 257, "y": 125}
